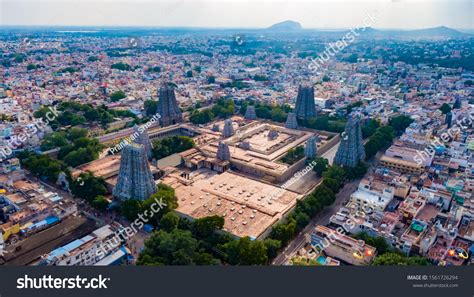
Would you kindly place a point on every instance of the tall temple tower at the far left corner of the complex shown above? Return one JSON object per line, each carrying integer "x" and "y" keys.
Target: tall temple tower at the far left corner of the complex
{"x": 168, "y": 108}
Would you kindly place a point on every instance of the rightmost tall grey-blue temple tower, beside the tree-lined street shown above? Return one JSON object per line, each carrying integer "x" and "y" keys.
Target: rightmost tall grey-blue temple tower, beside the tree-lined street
{"x": 351, "y": 149}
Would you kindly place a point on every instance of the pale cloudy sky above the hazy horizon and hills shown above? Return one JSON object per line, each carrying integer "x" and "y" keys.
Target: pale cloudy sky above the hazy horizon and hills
{"x": 323, "y": 14}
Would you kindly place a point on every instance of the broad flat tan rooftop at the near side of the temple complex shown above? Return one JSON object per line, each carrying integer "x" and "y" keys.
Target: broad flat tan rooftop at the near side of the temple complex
{"x": 249, "y": 207}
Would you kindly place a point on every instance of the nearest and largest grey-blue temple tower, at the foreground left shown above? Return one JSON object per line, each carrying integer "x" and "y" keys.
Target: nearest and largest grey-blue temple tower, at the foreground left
{"x": 135, "y": 180}
